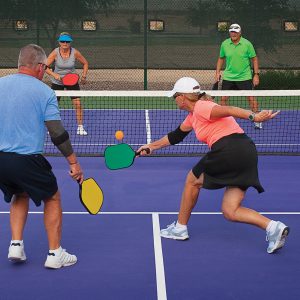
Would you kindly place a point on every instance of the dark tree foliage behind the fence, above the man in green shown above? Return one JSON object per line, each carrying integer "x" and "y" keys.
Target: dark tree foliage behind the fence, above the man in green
{"x": 255, "y": 17}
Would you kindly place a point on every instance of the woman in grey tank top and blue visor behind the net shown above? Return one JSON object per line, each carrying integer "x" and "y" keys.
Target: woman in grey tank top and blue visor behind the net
{"x": 64, "y": 57}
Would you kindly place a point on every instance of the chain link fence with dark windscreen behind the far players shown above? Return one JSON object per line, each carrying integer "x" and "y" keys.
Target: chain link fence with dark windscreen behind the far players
{"x": 148, "y": 44}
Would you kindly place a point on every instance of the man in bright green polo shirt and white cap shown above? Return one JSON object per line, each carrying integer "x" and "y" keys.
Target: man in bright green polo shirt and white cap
{"x": 238, "y": 53}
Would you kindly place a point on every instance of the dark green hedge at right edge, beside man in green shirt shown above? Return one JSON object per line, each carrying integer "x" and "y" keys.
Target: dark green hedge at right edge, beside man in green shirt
{"x": 279, "y": 80}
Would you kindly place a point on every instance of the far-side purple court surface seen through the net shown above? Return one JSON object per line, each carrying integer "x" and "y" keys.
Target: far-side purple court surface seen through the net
{"x": 280, "y": 136}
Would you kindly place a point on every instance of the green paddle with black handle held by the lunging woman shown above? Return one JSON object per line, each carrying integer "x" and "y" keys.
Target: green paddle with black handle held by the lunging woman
{"x": 120, "y": 156}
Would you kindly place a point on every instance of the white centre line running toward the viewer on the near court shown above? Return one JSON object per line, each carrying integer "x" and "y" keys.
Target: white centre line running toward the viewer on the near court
{"x": 159, "y": 260}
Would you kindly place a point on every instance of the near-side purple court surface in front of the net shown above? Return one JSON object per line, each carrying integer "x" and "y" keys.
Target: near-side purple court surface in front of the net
{"x": 120, "y": 253}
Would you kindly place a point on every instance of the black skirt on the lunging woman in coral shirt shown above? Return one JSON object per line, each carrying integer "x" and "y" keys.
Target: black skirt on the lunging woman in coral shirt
{"x": 232, "y": 161}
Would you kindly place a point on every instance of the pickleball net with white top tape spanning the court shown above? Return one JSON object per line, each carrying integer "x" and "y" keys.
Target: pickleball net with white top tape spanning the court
{"x": 145, "y": 116}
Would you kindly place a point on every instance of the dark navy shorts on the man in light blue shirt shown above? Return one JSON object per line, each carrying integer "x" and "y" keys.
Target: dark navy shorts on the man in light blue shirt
{"x": 26, "y": 173}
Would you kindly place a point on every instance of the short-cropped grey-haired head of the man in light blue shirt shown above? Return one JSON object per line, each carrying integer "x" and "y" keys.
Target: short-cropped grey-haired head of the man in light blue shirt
{"x": 31, "y": 55}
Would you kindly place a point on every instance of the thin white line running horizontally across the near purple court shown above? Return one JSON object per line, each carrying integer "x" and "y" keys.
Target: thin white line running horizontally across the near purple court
{"x": 157, "y": 212}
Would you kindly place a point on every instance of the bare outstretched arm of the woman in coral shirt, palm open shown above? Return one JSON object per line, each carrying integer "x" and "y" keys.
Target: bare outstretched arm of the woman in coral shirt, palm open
{"x": 237, "y": 112}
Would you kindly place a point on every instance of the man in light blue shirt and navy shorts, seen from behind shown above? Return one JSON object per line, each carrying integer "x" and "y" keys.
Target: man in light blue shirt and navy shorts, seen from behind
{"x": 26, "y": 106}
